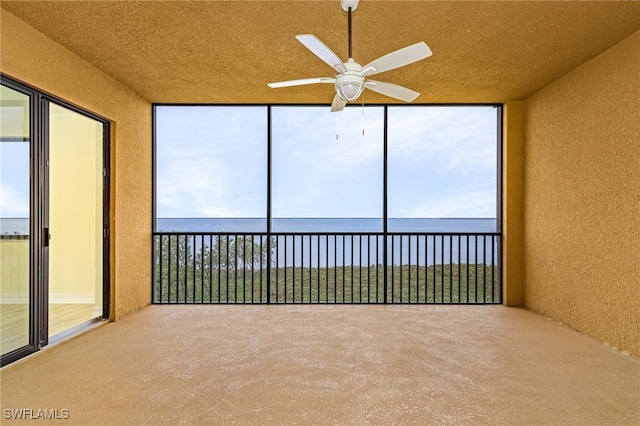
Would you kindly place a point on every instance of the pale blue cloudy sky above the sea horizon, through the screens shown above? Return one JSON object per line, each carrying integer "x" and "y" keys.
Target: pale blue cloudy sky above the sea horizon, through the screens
{"x": 211, "y": 162}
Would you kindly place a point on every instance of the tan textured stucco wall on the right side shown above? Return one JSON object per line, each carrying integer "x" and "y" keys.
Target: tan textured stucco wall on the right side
{"x": 582, "y": 198}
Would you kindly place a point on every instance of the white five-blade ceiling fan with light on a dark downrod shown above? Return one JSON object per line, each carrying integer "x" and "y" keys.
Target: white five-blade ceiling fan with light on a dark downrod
{"x": 351, "y": 78}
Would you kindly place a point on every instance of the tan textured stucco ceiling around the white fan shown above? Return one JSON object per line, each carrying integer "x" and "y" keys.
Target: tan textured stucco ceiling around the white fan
{"x": 227, "y": 51}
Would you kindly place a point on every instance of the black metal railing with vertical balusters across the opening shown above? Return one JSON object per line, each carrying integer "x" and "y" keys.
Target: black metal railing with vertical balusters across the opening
{"x": 433, "y": 268}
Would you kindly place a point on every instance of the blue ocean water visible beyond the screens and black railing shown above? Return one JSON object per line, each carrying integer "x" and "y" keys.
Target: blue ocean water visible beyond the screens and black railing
{"x": 357, "y": 249}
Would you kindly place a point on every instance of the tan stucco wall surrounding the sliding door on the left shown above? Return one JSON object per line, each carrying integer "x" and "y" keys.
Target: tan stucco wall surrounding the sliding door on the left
{"x": 35, "y": 59}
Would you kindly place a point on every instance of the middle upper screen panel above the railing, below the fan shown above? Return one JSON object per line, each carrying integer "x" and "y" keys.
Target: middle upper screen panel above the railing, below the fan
{"x": 327, "y": 169}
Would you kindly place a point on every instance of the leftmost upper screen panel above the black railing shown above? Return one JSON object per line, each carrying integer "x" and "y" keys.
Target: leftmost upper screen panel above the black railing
{"x": 211, "y": 168}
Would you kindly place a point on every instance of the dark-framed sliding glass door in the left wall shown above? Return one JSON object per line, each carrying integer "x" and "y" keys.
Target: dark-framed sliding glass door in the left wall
{"x": 54, "y": 171}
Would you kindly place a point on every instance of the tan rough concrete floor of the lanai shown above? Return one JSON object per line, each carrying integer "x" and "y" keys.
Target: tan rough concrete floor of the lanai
{"x": 334, "y": 365}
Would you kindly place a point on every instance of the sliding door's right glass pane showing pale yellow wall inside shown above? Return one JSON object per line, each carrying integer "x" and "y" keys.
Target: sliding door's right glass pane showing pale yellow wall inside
{"x": 75, "y": 219}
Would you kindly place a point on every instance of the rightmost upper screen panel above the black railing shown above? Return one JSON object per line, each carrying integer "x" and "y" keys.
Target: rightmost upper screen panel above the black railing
{"x": 442, "y": 169}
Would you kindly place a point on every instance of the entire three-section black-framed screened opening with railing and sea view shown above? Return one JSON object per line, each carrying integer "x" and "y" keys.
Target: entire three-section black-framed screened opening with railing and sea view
{"x": 293, "y": 204}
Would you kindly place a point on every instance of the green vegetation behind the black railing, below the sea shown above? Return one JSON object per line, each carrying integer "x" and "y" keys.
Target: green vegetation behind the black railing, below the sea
{"x": 235, "y": 271}
